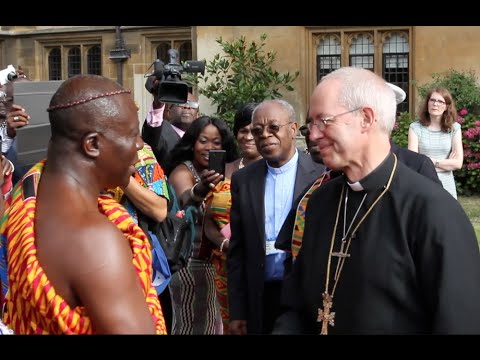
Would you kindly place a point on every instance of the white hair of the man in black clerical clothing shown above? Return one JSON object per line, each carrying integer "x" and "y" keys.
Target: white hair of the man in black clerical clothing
{"x": 361, "y": 87}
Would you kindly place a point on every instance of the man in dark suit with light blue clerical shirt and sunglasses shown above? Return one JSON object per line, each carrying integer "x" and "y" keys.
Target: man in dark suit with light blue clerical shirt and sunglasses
{"x": 262, "y": 195}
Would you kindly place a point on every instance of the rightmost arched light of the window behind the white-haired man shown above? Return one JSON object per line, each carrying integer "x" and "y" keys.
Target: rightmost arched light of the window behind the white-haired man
{"x": 395, "y": 66}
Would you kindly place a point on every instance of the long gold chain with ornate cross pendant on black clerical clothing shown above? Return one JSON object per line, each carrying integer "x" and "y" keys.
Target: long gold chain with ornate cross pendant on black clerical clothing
{"x": 325, "y": 315}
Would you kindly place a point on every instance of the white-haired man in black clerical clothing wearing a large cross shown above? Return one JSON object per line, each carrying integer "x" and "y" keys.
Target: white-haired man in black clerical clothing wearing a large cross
{"x": 391, "y": 253}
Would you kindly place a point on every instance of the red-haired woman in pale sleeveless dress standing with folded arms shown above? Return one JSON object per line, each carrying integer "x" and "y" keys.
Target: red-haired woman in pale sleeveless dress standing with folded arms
{"x": 438, "y": 135}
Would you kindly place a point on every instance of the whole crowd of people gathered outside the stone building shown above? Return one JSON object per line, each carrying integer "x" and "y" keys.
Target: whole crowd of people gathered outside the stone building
{"x": 355, "y": 235}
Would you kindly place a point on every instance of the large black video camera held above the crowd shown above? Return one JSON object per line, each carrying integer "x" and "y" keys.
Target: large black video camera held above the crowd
{"x": 171, "y": 88}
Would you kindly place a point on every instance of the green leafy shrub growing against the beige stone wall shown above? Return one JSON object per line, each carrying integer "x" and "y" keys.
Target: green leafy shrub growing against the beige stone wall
{"x": 242, "y": 73}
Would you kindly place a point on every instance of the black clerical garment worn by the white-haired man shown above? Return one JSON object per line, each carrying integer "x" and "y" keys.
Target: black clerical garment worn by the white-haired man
{"x": 413, "y": 265}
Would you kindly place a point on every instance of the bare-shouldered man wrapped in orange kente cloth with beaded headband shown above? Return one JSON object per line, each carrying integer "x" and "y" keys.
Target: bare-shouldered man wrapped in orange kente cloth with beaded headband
{"x": 77, "y": 263}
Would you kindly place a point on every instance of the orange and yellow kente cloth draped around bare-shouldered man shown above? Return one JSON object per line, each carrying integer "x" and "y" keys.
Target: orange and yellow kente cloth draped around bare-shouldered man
{"x": 33, "y": 306}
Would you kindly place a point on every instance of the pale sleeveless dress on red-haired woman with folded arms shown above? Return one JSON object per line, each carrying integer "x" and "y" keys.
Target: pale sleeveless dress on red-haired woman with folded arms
{"x": 437, "y": 145}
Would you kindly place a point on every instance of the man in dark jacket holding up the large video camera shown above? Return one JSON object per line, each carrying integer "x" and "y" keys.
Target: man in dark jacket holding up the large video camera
{"x": 162, "y": 135}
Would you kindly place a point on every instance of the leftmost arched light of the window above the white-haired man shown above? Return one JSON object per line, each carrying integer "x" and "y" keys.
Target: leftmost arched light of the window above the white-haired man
{"x": 329, "y": 55}
